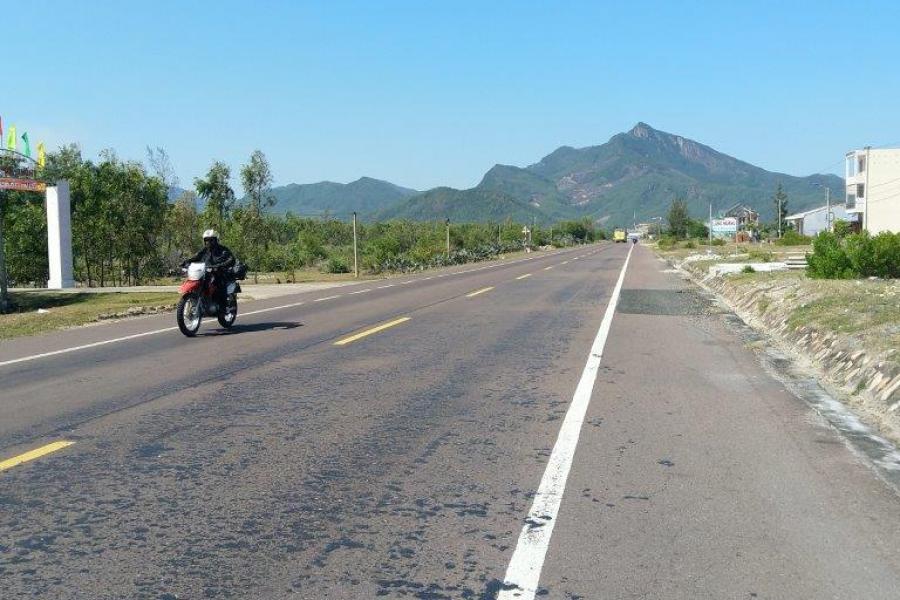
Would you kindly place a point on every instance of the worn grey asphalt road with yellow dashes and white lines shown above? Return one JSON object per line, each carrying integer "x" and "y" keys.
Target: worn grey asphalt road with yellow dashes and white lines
{"x": 412, "y": 438}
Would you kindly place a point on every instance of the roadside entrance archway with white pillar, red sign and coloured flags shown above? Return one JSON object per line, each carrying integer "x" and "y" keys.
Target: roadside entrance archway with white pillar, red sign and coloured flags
{"x": 19, "y": 172}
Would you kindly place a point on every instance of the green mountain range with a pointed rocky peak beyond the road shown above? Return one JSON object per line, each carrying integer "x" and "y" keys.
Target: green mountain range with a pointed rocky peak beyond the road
{"x": 634, "y": 176}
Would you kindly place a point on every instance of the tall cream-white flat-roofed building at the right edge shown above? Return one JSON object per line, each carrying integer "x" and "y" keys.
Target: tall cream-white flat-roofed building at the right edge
{"x": 873, "y": 188}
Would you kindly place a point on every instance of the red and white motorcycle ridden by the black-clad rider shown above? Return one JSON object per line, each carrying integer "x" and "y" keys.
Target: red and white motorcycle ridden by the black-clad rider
{"x": 199, "y": 298}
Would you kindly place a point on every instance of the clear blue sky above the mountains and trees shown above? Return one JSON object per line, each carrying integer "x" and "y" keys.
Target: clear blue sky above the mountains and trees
{"x": 435, "y": 93}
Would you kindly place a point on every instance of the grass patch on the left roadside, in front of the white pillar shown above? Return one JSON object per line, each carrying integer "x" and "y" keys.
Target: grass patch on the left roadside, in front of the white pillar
{"x": 66, "y": 309}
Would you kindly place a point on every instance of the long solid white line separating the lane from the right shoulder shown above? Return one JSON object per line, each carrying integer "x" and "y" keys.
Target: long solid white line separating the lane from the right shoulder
{"x": 524, "y": 571}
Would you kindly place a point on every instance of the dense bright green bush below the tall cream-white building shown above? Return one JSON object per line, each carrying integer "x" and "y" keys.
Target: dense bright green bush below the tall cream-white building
{"x": 856, "y": 255}
